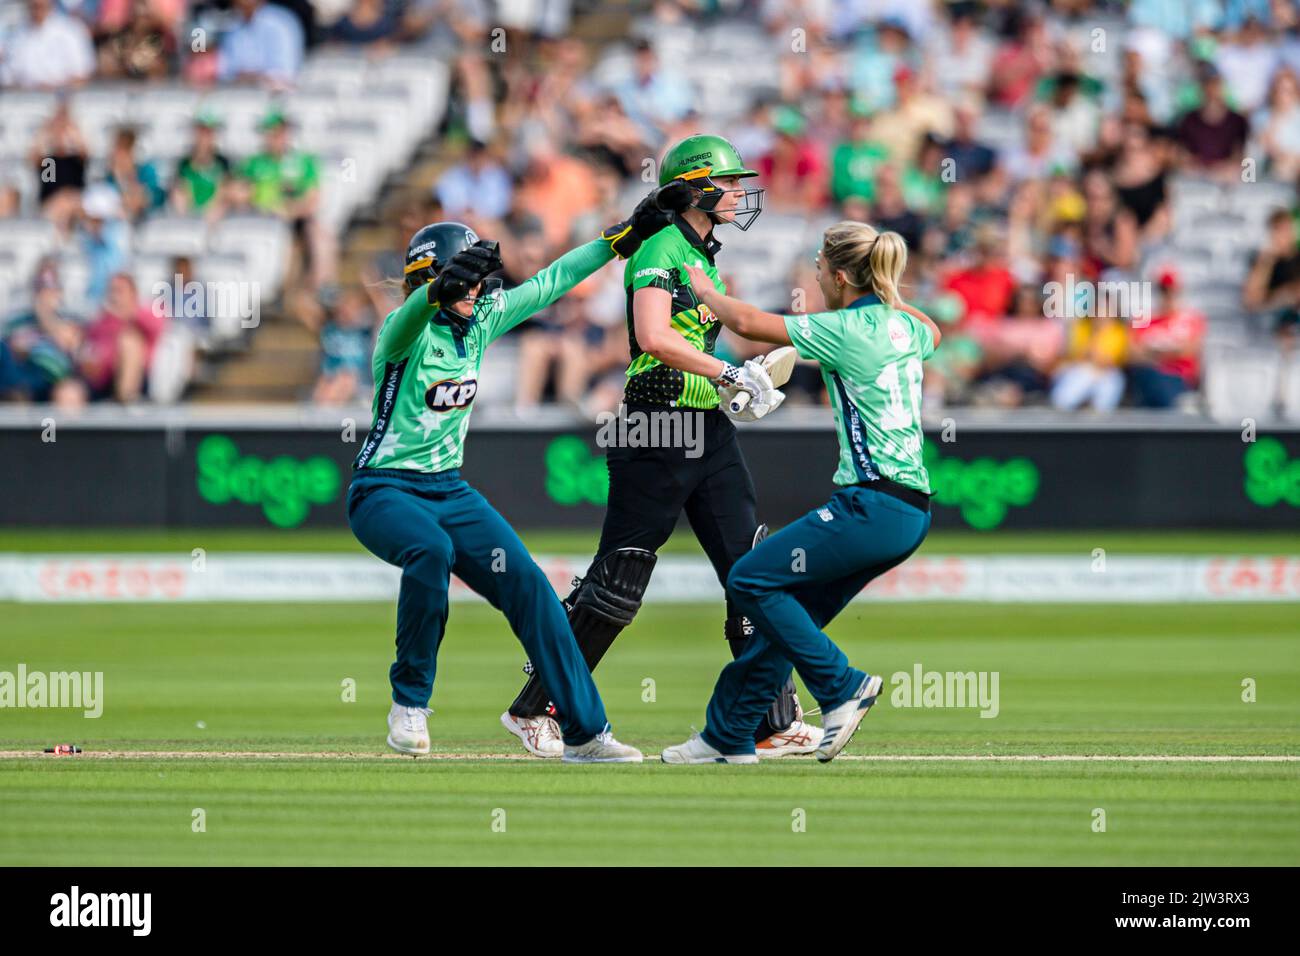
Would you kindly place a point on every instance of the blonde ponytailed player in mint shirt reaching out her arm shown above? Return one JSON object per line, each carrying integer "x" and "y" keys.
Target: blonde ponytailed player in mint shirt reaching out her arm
{"x": 870, "y": 347}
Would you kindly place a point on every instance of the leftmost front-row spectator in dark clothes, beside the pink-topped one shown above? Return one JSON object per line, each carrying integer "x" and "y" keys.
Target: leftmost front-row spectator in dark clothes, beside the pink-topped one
{"x": 38, "y": 348}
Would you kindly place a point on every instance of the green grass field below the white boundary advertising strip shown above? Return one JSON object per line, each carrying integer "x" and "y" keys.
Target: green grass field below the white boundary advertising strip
{"x": 1117, "y": 681}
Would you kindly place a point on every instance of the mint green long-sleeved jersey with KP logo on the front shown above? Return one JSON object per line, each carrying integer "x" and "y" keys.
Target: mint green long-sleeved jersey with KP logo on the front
{"x": 427, "y": 373}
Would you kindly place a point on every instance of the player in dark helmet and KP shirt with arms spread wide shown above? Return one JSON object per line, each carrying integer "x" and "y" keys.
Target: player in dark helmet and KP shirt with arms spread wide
{"x": 408, "y": 503}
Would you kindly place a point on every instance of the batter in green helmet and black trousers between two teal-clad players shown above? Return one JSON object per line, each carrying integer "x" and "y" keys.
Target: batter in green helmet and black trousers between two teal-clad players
{"x": 674, "y": 375}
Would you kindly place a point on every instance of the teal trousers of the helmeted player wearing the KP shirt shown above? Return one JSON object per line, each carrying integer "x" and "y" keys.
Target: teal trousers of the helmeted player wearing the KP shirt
{"x": 434, "y": 526}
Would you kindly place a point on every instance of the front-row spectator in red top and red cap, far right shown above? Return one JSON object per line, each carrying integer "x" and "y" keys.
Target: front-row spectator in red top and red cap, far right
{"x": 1165, "y": 353}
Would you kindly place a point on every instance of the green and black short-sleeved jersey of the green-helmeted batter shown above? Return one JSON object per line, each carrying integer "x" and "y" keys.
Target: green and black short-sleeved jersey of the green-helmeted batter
{"x": 658, "y": 263}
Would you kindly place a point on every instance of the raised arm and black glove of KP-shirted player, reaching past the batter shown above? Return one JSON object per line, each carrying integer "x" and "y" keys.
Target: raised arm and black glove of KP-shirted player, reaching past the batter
{"x": 621, "y": 240}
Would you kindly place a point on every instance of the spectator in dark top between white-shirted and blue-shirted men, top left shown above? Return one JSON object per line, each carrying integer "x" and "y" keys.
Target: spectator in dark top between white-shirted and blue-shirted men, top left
{"x": 137, "y": 40}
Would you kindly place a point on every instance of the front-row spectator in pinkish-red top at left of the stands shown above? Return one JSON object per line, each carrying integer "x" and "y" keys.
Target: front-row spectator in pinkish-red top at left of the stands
{"x": 120, "y": 344}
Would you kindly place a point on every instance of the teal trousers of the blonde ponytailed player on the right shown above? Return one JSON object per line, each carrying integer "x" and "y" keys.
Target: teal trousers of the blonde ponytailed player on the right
{"x": 792, "y": 586}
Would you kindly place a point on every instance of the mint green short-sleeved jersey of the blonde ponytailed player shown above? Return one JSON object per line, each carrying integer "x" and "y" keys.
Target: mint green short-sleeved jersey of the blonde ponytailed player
{"x": 870, "y": 357}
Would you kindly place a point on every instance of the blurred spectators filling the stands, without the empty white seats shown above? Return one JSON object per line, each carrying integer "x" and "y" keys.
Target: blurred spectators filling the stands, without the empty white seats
{"x": 1021, "y": 149}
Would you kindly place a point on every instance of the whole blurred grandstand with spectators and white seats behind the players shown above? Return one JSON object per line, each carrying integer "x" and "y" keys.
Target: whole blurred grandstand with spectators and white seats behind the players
{"x": 1099, "y": 198}
